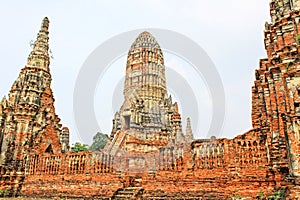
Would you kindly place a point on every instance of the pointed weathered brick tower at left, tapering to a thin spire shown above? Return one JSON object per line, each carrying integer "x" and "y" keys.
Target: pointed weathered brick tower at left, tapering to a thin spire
{"x": 28, "y": 123}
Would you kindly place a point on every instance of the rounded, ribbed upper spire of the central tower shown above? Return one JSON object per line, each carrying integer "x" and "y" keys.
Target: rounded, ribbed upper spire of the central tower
{"x": 145, "y": 68}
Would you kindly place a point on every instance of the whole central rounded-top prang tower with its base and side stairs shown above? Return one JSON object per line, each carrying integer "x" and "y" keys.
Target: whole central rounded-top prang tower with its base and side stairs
{"x": 147, "y": 119}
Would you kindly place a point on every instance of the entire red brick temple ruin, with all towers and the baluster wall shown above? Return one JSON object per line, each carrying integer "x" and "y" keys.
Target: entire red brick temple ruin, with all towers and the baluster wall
{"x": 147, "y": 135}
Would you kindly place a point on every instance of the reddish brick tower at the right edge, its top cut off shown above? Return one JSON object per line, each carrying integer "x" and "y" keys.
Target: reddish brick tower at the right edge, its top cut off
{"x": 276, "y": 93}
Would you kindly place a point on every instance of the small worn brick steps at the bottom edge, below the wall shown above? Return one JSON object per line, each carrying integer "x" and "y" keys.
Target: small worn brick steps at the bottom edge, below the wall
{"x": 128, "y": 193}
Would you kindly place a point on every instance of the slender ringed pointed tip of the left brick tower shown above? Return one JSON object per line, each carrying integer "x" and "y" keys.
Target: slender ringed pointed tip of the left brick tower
{"x": 39, "y": 56}
